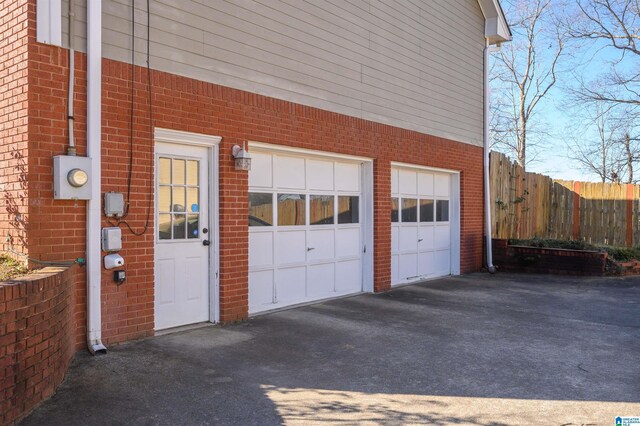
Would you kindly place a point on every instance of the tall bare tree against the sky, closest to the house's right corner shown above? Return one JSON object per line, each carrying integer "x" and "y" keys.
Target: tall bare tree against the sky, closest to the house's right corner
{"x": 524, "y": 72}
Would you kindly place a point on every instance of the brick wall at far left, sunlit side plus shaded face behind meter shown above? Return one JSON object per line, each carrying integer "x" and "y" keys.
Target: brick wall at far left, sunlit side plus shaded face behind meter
{"x": 33, "y": 128}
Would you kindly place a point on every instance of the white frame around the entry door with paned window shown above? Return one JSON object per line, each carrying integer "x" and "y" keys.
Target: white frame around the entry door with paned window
{"x": 210, "y": 142}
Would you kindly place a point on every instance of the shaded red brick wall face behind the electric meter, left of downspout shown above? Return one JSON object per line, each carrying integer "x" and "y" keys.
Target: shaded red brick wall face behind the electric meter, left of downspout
{"x": 56, "y": 227}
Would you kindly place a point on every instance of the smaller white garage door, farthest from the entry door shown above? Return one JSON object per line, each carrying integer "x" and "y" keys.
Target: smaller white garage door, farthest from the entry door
{"x": 421, "y": 228}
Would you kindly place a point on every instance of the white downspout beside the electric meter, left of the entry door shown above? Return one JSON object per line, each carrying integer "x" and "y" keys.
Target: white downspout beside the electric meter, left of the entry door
{"x": 94, "y": 129}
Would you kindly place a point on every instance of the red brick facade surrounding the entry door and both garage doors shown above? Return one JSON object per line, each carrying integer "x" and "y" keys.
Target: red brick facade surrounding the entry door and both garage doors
{"x": 190, "y": 105}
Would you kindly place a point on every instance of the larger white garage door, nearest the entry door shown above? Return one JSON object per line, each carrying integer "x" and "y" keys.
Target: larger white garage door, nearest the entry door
{"x": 305, "y": 229}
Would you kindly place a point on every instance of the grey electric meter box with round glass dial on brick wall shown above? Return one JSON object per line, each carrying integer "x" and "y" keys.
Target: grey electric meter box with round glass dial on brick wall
{"x": 71, "y": 177}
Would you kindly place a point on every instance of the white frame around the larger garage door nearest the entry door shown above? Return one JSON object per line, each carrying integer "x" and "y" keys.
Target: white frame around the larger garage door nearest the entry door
{"x": 366, "y": 193}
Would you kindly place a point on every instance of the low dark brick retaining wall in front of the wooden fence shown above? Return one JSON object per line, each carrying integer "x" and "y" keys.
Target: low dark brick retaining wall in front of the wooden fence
{"x": 548, "y": 260}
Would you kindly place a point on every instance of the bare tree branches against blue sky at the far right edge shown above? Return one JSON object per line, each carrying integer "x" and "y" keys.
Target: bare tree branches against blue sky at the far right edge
{"x": 610, "y": 28}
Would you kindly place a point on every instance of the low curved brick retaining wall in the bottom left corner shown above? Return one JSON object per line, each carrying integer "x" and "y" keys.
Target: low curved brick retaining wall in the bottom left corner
{"x": 36, "y": 338}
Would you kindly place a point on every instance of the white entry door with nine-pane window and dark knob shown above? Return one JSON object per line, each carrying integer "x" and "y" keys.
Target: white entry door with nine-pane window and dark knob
{"x": 182, "y": 236}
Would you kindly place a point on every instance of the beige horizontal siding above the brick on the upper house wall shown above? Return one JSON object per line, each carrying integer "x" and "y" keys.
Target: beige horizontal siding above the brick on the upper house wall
{"x": 415, "y": 64}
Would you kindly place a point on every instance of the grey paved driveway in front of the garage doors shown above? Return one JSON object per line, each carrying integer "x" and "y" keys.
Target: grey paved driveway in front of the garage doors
{"x": 478, "y": 350}
